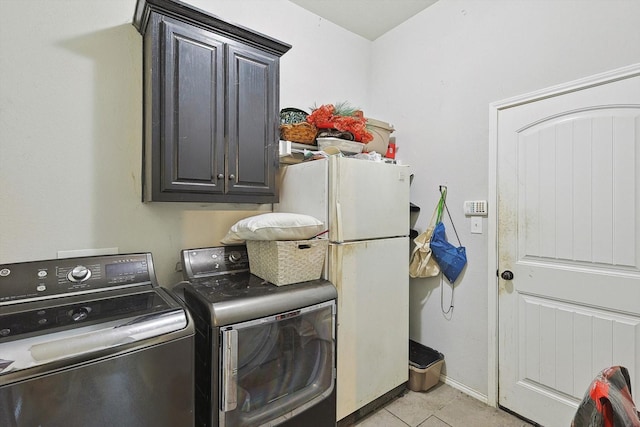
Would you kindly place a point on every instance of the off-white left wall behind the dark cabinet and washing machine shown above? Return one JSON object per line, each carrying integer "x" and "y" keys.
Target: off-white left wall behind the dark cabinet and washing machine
{"x": 71, "y": 129}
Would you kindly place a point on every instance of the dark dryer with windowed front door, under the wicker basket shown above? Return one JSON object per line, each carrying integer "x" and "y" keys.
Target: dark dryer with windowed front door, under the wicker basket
{"x": 265, "y": 354}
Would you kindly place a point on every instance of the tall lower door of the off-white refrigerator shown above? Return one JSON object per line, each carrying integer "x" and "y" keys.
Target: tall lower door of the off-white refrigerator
{"x": 372, "y": 279}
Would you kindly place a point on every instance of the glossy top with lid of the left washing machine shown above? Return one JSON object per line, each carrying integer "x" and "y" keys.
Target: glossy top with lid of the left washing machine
{"x": 92, "y": 328}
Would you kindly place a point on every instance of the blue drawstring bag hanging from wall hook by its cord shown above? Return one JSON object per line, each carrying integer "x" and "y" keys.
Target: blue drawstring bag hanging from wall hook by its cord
{"x": 450, "y": 258}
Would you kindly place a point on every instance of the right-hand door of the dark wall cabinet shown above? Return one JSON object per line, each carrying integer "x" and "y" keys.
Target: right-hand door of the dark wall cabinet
{"x": 252, "y": 122}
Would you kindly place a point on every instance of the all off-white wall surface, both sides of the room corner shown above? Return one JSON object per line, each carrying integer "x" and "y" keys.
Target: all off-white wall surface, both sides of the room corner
{"x": 71, "y": 107}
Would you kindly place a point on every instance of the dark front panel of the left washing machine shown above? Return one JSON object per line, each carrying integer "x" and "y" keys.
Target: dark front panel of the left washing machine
{"x": 148, "y": 387}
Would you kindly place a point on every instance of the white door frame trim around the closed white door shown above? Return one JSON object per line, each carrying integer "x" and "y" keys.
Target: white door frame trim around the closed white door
{"x": 492, "y": 232}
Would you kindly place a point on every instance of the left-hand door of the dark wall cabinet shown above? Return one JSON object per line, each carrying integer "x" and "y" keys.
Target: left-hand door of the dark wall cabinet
{"x": 192, "y": 114}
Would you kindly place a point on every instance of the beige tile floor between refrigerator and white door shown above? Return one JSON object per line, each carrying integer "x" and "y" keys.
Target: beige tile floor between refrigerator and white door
{"x": 441, "y": 406}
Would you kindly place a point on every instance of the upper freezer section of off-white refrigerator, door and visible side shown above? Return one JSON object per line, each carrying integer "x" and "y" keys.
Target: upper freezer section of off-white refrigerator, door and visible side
{"x": 356, "y": 199}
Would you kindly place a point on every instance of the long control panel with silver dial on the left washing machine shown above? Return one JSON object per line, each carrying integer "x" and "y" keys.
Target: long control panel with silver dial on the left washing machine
{"x": 49, "y": 278}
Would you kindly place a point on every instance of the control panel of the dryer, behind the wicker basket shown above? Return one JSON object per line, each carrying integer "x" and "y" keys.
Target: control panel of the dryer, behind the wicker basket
{"x": 213, "y": 261}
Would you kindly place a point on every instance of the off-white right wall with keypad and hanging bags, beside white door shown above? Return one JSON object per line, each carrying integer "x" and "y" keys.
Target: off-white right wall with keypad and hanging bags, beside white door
{"x": 436, "y": 76}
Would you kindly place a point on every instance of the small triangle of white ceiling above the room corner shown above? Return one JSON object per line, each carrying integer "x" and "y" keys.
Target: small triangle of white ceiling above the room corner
{"x": 368, "y": 18}
